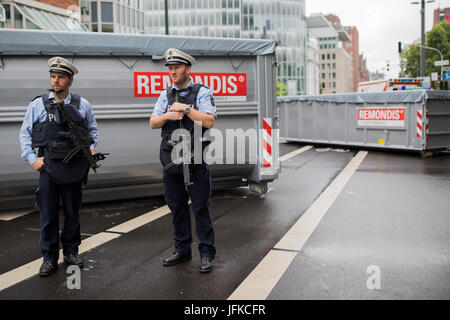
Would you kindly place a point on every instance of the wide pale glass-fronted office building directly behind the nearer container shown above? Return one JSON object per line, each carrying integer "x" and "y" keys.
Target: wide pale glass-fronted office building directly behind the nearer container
{"x": 283, "y": 21}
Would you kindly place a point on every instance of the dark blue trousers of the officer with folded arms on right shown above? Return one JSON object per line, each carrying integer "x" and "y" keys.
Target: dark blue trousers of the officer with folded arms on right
{"x": 177, "y": 199}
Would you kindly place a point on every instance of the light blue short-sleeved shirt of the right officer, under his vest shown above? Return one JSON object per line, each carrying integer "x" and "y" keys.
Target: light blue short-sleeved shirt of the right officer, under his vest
{"x": 204, "y": 101}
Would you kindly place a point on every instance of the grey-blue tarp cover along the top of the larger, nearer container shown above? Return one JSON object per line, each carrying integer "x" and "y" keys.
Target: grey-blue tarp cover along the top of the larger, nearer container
{"x": 39, "y": 42}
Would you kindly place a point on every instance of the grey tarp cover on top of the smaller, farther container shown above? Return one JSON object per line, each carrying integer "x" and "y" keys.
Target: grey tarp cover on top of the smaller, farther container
{"x": 413, "y": 96}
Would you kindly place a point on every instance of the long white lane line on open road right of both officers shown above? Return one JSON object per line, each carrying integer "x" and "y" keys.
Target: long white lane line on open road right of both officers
{"x": 261, "y": 281}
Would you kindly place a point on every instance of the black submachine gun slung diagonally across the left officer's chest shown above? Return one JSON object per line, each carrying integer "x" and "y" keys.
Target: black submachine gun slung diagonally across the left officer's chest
{"x": 79, "y": 137}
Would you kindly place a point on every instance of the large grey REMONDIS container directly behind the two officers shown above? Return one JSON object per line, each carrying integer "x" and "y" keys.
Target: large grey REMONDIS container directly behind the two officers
{"x": 122, "y": 76}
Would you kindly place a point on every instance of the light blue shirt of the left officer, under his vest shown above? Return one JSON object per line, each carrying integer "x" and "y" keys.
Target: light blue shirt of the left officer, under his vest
{"x": 36, "y": 113}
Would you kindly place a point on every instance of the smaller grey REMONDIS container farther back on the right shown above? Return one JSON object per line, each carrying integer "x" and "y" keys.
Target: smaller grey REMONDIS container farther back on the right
{"x": 405, "y": 120}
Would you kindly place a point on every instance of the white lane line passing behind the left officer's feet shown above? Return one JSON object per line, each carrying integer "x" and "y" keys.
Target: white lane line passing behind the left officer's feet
{"x": 28, "y": 270}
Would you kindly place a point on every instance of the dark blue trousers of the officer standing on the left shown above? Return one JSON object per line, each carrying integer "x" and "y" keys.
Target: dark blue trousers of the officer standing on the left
{"x": 48, "y": 196}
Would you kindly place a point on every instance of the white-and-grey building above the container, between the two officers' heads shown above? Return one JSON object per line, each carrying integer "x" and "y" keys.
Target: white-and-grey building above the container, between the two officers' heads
{"x": 119, "y": 16}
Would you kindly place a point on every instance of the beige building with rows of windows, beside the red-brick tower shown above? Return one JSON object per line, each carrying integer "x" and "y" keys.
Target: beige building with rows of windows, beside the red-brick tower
{"x": 336, "y": 64}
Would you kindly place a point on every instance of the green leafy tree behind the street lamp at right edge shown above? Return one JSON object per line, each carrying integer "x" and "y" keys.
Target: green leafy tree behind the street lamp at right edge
{"x": 439, "y": 38}
